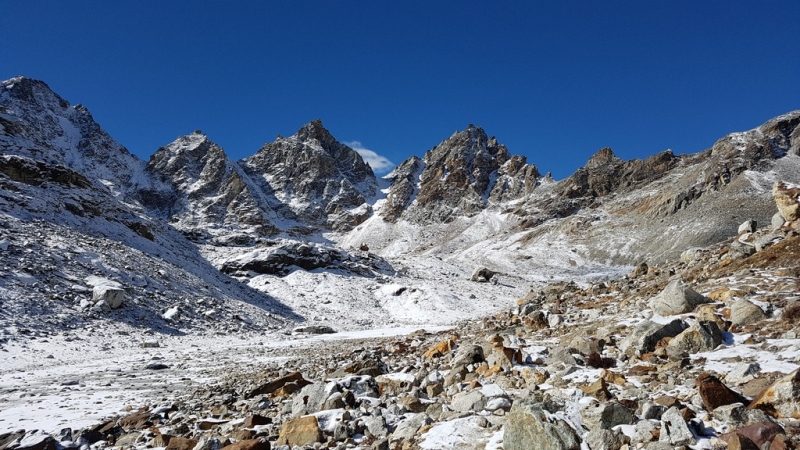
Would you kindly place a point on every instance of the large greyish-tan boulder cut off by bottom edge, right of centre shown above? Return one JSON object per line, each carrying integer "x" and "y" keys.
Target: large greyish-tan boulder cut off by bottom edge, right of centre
{"x": 529, "y": 427}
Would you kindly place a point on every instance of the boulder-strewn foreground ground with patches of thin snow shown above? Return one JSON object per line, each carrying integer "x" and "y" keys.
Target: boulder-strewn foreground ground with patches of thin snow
{"x": 698, "y": 353}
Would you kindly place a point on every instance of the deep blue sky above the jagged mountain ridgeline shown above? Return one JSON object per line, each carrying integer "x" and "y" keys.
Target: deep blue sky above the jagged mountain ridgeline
{"x": 554, "y": 81}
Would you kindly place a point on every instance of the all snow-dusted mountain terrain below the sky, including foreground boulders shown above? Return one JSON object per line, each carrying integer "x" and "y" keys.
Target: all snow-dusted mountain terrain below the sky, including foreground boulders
{"x": 292, "y": 299}
